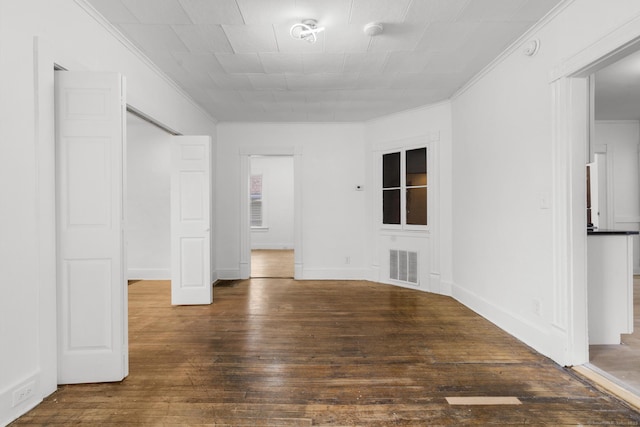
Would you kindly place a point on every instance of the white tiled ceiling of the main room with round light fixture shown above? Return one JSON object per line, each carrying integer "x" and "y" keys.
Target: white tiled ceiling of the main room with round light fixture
{"x": 237, "y": 60}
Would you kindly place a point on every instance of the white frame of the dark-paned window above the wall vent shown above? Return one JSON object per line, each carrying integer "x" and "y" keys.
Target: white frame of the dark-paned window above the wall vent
{"x": 403, "y": 226}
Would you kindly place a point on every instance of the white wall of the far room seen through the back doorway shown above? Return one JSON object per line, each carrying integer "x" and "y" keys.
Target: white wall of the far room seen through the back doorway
{"x": 277, "y": 202}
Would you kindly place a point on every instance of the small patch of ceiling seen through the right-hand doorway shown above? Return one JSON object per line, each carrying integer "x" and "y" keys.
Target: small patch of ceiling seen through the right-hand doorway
{"x": 617, "y": 90}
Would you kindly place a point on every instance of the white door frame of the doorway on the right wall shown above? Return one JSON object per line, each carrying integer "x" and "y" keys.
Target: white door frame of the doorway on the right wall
{"x": 570, "y": 90}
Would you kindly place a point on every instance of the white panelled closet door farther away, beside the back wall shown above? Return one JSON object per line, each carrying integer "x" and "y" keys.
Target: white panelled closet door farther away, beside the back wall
{"x": 191, "y": 220}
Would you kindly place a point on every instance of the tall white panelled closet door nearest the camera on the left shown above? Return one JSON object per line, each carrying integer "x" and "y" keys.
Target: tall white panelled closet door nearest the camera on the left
{"x": 92, "y": 288}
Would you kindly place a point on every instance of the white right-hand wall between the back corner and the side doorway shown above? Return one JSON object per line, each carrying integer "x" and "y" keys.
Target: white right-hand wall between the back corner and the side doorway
{"x": 503, "y": 185}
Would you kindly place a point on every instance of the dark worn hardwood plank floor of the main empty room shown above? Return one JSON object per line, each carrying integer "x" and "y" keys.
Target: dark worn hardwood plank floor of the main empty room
{"x": 279, "y": 352}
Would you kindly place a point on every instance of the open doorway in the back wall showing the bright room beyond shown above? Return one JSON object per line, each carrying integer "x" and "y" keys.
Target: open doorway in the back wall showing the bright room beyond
{"x": 271, "y": 216}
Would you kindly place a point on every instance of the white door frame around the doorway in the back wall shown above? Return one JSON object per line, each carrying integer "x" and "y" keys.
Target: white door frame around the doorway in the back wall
{"x": 245, "y": 220}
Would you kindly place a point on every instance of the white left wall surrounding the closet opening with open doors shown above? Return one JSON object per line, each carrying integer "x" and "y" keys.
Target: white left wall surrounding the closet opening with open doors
{"x": 70, "y": 36}
